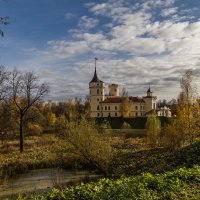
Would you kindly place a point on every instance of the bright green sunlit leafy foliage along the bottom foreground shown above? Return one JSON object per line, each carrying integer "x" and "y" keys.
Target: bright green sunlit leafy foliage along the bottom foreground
{"x": 171, "y": 185}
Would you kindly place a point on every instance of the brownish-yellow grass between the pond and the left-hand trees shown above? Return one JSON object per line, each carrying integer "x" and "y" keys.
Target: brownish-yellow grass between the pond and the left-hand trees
{"x": 40, "y": 152}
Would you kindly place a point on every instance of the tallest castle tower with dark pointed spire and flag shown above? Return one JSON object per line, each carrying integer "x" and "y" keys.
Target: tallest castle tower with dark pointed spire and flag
{"x": 97, "y": 94}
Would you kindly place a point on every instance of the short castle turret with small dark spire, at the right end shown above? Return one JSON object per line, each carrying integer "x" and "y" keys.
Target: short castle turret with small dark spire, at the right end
{"x": 150, "y": 101}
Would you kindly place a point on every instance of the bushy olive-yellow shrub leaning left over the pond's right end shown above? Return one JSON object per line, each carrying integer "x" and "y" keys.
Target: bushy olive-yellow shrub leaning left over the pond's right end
{"x": 90, "y": 144}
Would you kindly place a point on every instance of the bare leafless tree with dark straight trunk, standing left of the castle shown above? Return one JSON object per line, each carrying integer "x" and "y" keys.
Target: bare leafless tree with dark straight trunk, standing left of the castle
{"x": 25, "y": 93}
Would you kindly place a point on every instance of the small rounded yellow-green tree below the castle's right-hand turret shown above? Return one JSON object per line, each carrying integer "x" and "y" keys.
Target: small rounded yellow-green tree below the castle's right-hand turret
{"x": 153, "y": 129}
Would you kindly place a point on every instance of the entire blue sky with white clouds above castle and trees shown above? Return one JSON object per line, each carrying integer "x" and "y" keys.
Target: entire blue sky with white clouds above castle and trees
{"x": 137, "y": 42}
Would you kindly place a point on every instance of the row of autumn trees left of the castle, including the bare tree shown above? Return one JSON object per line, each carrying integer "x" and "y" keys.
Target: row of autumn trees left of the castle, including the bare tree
{"x": 23, "y": 110}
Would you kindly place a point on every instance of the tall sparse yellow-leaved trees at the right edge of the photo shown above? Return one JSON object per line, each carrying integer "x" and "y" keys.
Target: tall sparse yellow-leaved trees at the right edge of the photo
{"x": 185, "y": 127}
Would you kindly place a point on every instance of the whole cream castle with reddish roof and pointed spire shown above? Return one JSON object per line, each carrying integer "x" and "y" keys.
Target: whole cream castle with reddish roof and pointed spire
{"x": 111, "y": 105}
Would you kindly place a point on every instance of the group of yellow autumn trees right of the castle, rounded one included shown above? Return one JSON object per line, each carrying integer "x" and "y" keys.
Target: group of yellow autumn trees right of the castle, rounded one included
{"x": 185, "y": 127}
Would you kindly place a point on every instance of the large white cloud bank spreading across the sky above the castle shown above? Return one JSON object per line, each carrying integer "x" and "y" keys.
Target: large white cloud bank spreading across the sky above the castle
{"x": 136, "y": 49}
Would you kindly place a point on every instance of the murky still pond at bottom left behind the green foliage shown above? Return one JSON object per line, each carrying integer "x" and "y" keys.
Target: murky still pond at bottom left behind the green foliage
{"x": 38, "y": 181}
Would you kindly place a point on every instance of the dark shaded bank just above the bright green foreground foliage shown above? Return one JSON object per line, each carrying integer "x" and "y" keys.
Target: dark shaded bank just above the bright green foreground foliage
{"x": 155, "y": 160}
